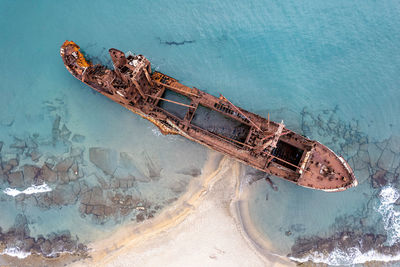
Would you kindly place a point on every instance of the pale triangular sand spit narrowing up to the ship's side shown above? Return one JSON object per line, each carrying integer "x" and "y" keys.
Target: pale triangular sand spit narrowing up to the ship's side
{"x": 203, "y": 228}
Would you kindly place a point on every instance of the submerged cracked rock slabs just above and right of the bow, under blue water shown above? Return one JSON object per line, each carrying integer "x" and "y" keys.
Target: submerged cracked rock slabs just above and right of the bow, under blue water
{"x": 376, "y": 161}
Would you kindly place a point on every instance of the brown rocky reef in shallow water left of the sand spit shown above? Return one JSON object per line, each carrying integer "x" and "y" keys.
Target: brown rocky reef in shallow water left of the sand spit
{"x": 102, "y": 184}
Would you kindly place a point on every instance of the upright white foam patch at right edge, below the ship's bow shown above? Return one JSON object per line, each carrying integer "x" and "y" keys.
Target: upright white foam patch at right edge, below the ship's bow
{"x": 390, "y": 216}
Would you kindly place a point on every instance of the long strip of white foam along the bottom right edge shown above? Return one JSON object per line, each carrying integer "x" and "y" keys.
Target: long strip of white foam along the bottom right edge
{"x": 349, "y": 257}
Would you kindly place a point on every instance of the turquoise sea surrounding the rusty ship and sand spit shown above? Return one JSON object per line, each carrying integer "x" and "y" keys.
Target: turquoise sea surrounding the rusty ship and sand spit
{"x": 76, "y": 166}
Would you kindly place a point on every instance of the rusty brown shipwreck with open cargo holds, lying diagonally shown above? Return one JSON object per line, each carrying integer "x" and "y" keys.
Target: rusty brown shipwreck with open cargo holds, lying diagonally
{"x": 211, "y": 121}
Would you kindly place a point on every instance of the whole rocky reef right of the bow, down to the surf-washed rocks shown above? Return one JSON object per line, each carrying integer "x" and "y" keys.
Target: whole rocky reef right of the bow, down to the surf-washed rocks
{"x": 375, "y": 162}
